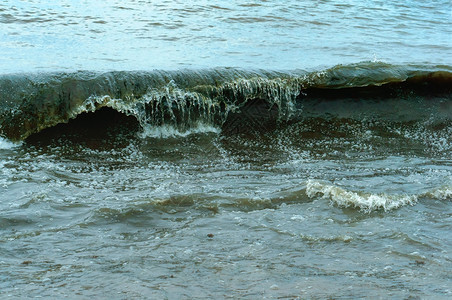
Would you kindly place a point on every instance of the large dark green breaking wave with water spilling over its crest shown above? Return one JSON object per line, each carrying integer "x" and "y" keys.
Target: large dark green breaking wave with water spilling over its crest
{"x": 220, "y": 98}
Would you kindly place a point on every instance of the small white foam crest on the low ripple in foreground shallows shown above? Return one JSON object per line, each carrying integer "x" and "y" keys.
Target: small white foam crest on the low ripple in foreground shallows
{"x": 364, "y": 201}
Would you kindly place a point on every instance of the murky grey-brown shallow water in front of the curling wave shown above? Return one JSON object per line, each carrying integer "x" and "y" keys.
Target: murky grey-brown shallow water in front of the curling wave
{"x": 209, "y": 215}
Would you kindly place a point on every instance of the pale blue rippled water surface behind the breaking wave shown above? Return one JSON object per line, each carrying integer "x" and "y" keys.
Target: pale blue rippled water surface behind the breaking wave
{"x": 131, "y": 35}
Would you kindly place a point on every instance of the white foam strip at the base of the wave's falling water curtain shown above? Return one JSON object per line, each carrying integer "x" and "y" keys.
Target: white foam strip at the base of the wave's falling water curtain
{"x": 168, "y": 131}
